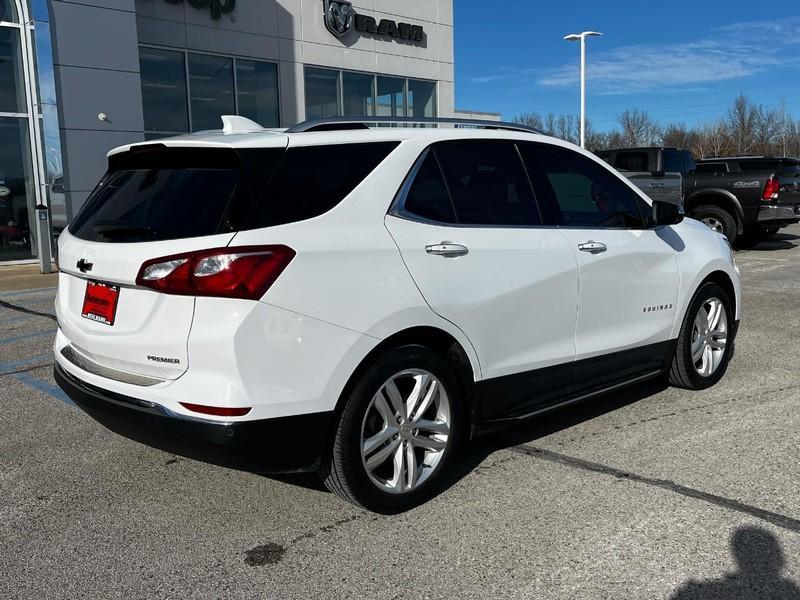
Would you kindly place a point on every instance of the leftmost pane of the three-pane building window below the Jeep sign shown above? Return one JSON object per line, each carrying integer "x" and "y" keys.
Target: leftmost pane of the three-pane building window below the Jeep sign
{"x": 163, "y": 75}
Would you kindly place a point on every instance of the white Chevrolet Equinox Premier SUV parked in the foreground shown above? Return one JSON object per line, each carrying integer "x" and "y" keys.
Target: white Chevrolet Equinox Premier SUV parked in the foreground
{"x": 358, "y": 300}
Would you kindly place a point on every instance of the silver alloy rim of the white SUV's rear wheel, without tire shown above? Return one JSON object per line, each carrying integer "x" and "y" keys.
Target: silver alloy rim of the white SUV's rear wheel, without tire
{"x": 405, "y": 431}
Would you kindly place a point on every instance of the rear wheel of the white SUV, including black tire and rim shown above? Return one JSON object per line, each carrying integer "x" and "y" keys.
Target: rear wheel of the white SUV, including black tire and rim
{"x": 405, "y": 463}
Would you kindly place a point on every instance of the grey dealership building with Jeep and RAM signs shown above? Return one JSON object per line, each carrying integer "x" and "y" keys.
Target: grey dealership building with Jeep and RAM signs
{"x": 79, "y": 77}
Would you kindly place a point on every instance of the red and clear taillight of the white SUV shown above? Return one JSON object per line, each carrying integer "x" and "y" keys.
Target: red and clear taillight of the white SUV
{"x": 245, "y": 272}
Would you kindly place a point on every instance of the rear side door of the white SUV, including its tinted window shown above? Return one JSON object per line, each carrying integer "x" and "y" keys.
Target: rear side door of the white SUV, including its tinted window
{"x": 471, "y": 234}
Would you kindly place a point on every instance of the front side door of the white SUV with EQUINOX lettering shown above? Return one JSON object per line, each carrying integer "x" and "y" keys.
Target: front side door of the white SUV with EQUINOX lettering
{"x": 627, "y": 271}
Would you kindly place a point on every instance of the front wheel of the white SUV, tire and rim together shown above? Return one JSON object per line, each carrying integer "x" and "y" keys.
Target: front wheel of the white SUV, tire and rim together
{"x": 699, "y": 362}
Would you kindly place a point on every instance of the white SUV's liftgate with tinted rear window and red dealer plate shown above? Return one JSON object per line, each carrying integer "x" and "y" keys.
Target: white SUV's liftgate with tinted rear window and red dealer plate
{"x": 155, "y": 201}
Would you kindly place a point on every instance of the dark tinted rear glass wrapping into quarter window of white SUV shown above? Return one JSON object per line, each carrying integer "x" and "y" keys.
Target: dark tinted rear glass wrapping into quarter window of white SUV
{"x": 155, "y": 193}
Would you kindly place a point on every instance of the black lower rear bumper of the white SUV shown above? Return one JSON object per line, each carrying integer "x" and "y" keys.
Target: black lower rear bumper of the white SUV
{"x": 279, "y": 445}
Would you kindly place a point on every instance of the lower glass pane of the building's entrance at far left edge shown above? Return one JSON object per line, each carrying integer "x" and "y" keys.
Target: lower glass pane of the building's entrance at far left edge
{"x": 16, "y": 190}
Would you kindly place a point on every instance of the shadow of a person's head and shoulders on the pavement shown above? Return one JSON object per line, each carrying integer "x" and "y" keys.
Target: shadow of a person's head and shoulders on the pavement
{"x": 760, "y": 562}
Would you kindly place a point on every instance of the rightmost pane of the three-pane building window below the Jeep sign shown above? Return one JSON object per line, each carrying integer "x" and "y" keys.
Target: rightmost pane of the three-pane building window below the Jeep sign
{"x": 257, "y": 88}
